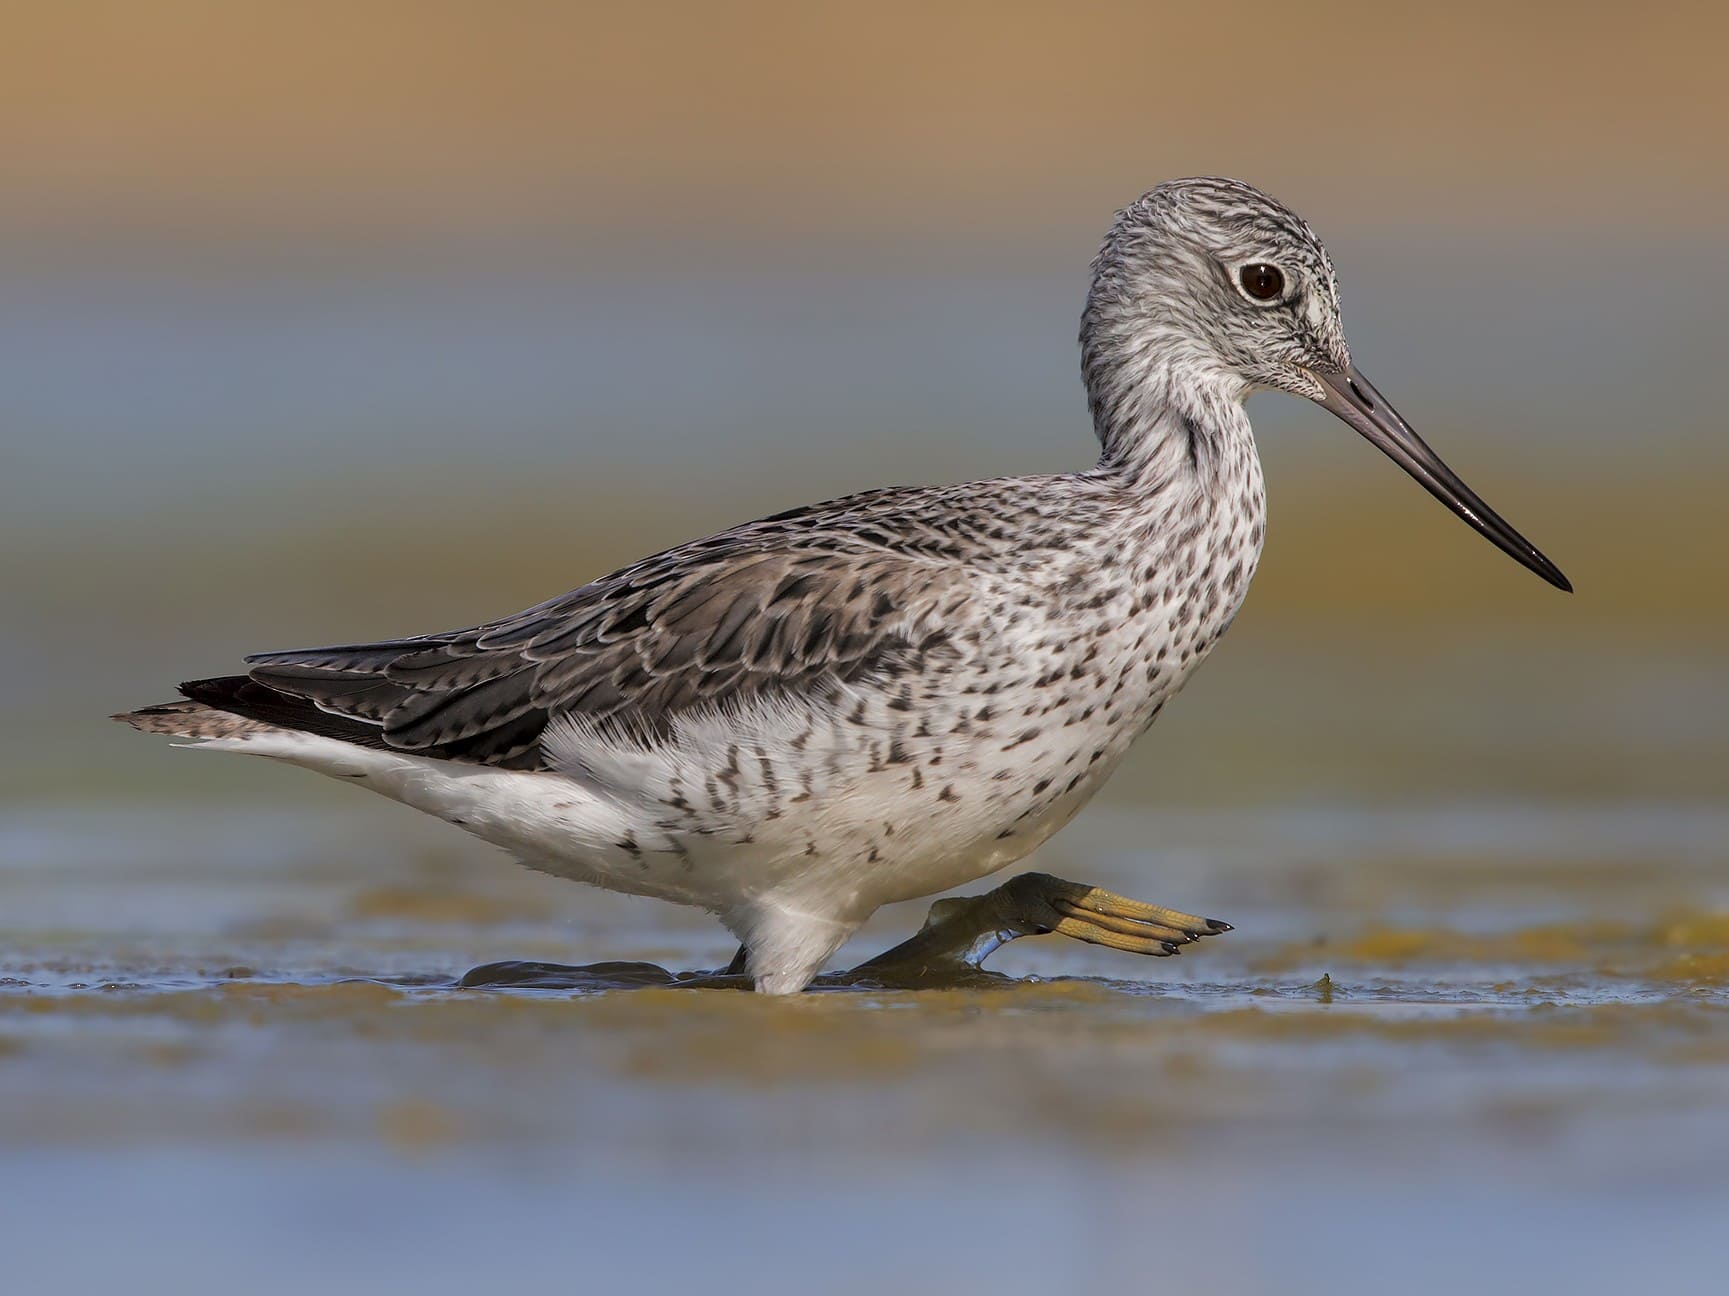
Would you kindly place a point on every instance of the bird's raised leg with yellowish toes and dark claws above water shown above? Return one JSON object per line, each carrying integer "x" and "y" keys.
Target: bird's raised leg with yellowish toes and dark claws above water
{"x": 962, "y": 934}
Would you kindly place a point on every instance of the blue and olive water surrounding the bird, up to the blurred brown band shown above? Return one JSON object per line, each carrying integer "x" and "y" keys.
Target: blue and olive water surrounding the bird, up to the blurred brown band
{"x": 1472, "y": 1027}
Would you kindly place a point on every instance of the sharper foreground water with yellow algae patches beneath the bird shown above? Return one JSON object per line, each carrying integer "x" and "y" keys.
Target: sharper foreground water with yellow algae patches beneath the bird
{"x": 1455, "y": 1062}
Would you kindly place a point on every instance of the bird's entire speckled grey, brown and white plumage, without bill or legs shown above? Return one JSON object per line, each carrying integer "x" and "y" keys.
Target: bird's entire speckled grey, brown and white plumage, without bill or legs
{"x": 867, "y": 701}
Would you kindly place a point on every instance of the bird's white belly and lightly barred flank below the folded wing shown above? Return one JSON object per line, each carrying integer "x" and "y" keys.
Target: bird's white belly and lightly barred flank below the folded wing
{"x": 729, "y": 813}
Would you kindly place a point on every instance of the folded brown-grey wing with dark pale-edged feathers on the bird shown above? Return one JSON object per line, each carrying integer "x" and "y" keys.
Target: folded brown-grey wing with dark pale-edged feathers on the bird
{"x": 774, "y": 607}
